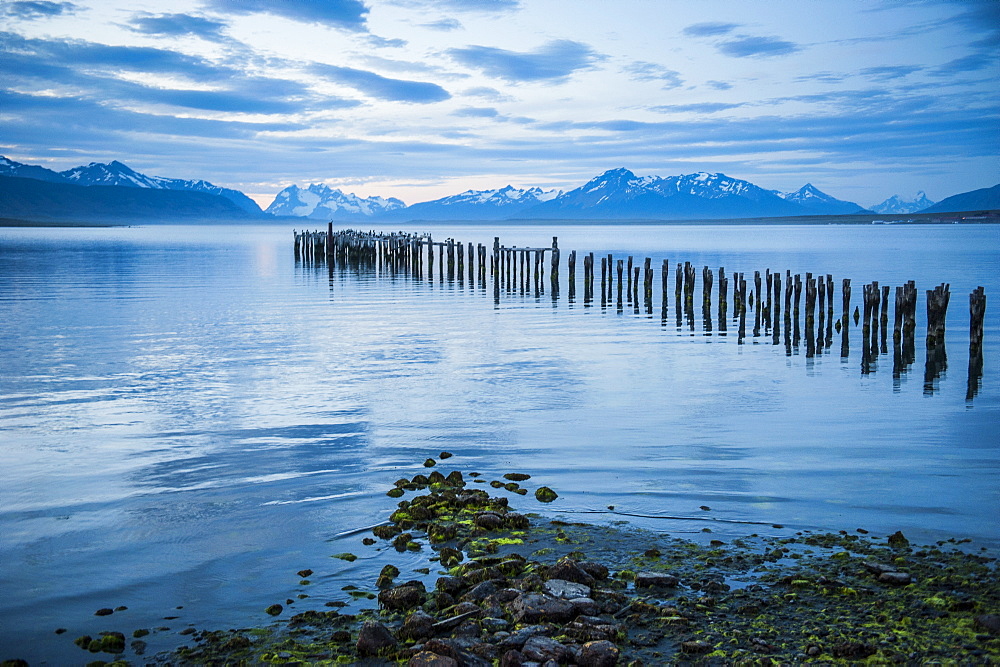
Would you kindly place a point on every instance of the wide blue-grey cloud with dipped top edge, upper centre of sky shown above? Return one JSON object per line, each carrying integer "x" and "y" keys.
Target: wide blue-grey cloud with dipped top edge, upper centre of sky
{"x": 553, "y": 62}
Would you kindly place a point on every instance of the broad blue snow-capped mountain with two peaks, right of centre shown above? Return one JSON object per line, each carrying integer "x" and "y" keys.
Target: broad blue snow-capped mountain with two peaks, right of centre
{"x": 620, "y": 194}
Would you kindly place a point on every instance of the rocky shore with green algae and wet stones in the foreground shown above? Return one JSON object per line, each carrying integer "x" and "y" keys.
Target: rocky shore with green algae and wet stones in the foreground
{"x": 516, "y": 589}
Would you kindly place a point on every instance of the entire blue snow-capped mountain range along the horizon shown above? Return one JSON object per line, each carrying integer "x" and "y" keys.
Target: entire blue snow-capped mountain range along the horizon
{"x": 114, "y": 190}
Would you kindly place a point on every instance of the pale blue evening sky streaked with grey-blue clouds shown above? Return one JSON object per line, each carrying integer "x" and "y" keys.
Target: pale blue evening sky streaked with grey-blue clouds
{"x": 420, "y": 99}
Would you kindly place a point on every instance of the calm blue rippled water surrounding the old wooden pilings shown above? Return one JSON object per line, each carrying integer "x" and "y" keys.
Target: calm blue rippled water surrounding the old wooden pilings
{"x": 187, "y": 417}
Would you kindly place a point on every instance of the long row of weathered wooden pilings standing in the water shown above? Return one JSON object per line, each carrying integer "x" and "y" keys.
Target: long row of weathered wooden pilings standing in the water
{"x": 772, "y": 298}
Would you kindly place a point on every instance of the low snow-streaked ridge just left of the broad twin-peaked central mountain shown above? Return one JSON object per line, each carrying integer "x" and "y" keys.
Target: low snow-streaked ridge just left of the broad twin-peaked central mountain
{"x": 506, "y": 202}
